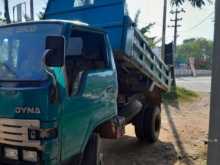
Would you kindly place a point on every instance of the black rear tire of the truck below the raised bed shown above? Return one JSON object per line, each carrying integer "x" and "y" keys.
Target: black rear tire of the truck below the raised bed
{"x": 147, "y": 125}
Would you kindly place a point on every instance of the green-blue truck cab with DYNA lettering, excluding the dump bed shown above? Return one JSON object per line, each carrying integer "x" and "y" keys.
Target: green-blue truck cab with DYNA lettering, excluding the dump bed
{"x": 58, "y": 84}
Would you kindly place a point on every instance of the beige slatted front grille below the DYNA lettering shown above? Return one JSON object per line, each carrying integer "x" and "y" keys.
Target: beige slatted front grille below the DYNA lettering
{"x": 15, "y": 132}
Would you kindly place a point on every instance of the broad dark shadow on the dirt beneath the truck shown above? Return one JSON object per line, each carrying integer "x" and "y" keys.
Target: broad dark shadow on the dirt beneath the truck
{"x": 128, "y": 151}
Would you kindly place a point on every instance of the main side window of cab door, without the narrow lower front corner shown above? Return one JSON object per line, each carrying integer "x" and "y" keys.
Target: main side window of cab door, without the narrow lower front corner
{"x": 88, "y": 48}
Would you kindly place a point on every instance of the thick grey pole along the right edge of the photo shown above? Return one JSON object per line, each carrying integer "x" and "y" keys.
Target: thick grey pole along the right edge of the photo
{"x": 214, "y": 125}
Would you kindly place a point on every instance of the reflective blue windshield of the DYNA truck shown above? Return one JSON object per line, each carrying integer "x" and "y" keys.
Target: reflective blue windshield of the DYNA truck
{"x": 21, "y": 51}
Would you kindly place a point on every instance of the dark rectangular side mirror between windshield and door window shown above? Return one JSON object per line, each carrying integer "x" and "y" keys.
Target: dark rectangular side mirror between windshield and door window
{"x": 54, "y": 54}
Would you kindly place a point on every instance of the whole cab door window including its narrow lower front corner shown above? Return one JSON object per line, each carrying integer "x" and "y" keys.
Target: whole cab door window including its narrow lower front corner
{"x": 85, "y": 51}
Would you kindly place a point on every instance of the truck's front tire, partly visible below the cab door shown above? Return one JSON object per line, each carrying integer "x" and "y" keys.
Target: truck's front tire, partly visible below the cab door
{"x": 92, "y": 154}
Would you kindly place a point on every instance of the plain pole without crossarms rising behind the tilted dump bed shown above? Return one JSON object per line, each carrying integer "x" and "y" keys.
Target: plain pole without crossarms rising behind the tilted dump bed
{"x": 164, "y": 30}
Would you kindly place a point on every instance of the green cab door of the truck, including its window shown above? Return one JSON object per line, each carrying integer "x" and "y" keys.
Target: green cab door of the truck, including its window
{"x": 91, "y": 83}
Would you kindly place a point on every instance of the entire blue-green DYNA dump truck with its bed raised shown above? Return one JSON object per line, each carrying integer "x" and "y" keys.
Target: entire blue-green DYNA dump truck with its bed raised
{"x": 65, "y": 84}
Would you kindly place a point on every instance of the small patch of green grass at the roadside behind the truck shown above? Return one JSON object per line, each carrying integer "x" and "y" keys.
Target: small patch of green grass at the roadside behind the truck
{"x": 179, "y": 94}
